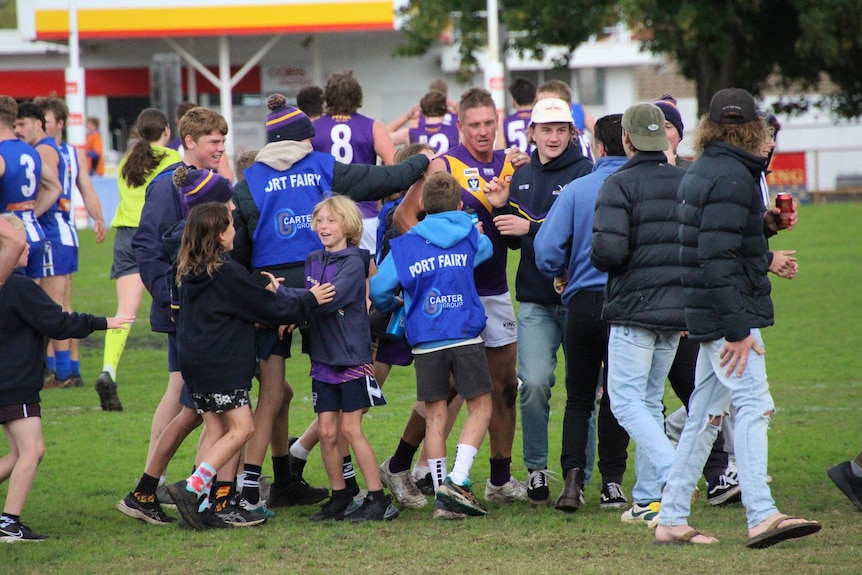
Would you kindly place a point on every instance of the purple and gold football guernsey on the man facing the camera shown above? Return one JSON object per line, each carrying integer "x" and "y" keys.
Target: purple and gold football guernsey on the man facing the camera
{"x": 473, "y": 176}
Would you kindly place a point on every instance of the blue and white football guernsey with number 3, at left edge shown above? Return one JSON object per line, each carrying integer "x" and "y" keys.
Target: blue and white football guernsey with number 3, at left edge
{"x": 19, "y": 184}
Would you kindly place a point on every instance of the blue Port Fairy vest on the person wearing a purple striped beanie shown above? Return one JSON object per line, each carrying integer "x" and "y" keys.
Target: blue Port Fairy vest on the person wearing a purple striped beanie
{"x": 285, "y": 201}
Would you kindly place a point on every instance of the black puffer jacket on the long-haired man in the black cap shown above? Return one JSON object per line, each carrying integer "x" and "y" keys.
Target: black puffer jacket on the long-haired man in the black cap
{"x": 724, "y": 248}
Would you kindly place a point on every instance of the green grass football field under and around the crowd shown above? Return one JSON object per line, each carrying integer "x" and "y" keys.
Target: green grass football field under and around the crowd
{"x": 93, "y": 458}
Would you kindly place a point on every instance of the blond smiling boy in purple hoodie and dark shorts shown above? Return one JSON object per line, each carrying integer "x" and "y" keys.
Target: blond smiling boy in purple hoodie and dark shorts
{"x": 342, "y": 373}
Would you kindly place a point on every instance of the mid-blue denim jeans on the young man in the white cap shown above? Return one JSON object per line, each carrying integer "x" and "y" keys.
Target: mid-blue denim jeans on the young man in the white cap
{"x": 541, "y": 331}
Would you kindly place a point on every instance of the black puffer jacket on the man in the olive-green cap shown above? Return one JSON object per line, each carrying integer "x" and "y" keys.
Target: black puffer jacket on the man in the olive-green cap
{"x": 636, "y": 240}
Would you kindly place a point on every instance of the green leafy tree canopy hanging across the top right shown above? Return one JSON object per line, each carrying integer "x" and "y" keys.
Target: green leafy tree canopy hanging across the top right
{"x": 718, "y": 43}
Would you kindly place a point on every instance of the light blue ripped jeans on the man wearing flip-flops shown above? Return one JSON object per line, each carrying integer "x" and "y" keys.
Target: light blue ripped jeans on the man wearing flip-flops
{"x": 712, "y": 396}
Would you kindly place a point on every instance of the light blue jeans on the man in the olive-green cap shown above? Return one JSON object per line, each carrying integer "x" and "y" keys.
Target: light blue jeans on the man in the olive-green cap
{"x": 638, "y": 363}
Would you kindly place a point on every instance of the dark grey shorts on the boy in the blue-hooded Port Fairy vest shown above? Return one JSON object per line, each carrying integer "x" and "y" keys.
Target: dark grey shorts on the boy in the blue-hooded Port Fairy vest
{"x": 466, "y": 363}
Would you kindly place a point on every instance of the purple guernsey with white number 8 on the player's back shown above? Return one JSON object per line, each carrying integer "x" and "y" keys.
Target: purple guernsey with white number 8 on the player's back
{"x": 350, "y": 140}
